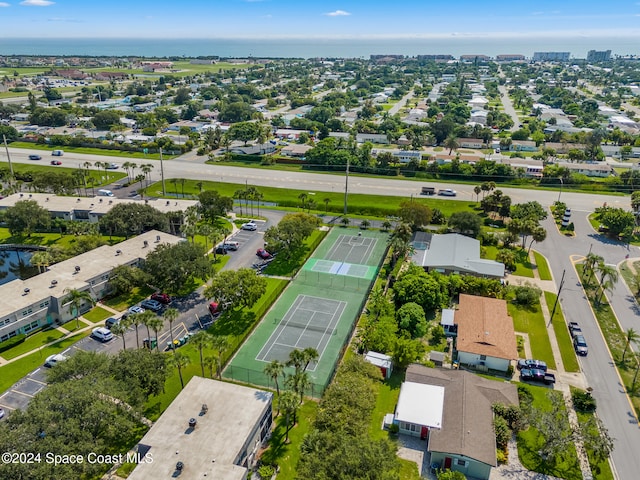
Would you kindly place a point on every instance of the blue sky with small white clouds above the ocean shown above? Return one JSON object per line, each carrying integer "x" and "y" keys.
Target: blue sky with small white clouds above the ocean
{"x": 328, "y": 18}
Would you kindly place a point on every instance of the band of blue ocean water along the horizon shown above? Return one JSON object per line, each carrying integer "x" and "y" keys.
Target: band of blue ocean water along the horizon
{"x": 312, "y": 48}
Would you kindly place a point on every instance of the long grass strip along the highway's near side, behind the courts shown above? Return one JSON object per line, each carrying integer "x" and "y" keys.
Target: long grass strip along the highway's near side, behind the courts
{"x": 358, "y": 203}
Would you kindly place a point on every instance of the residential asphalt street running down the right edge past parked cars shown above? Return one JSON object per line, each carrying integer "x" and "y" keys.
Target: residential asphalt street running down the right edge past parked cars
{"x": 613, "y": 405}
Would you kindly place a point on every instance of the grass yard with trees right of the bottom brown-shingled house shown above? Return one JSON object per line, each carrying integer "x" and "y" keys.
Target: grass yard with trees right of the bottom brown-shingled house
{"x": 530, "y": 441}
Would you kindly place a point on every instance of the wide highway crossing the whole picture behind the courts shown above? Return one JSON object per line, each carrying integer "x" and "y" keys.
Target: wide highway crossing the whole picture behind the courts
{"x": 193, "y": 167}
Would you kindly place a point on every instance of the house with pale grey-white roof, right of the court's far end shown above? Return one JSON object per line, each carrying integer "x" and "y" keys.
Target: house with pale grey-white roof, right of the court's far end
{"x": 453, "y": 253}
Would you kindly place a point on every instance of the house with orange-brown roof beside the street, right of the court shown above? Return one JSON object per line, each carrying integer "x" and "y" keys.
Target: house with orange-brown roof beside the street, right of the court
{"x": 486, "y": 338}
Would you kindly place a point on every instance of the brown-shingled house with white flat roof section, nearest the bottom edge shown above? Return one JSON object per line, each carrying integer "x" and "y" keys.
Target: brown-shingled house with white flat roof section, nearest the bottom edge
{"x": 465, "y": 441}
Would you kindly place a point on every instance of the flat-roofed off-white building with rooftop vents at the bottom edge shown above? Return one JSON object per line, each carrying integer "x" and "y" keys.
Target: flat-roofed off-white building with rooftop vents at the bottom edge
{"x": 222, "y": 444}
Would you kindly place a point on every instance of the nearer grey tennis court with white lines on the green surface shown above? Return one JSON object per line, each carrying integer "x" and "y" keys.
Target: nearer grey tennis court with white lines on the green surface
{"x": 309, "y": 322}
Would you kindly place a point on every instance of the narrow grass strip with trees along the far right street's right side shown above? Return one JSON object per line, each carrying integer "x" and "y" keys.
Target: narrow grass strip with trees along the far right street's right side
{"x": 613, "y": 335}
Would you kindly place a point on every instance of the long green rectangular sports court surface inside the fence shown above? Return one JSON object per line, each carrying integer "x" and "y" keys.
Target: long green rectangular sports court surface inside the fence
{"x": 318, "y": 309}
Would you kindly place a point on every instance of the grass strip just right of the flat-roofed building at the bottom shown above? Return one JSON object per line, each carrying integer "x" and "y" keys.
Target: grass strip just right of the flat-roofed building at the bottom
{"x": 287, "y": 455}
